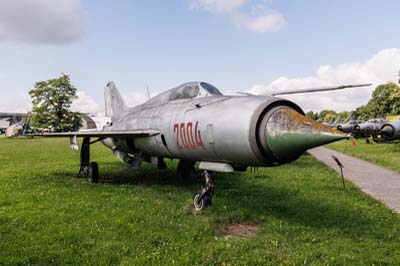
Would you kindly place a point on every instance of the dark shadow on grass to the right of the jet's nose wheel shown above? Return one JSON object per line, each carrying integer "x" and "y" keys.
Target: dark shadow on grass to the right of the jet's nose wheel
{"x": 295, "y": 208}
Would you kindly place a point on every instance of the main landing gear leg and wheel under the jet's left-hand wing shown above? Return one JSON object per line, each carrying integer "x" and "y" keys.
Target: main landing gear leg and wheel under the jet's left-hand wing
{"x": 88, "y": 169}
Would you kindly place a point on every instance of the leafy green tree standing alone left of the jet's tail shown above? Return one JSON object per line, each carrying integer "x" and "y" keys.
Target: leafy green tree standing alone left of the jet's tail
{"x": 51, "y": 101}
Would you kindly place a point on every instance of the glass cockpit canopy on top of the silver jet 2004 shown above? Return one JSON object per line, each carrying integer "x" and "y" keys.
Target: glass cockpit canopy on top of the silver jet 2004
{"x": 193, "y": 90}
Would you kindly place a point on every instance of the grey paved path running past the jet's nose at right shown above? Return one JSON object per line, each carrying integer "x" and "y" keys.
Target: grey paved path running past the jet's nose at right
{"x": 379, "y": 182}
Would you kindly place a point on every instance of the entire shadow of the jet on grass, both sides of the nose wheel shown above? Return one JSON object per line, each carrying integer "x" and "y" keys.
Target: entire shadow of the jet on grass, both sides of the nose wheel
{"x": 252, "y": 202}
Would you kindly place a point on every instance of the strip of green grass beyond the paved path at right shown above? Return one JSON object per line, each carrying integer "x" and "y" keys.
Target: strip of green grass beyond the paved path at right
{"x": 383, "y": 154}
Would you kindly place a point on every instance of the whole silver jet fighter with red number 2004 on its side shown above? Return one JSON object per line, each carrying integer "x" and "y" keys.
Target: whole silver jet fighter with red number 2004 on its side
{"x": 195, "y": 122}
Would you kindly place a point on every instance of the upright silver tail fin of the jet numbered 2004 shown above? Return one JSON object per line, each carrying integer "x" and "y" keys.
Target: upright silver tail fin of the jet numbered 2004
{"x": 115, "y": 105}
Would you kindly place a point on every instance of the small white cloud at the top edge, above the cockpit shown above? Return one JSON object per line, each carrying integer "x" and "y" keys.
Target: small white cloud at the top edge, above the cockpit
{"x": 260, "y": 19}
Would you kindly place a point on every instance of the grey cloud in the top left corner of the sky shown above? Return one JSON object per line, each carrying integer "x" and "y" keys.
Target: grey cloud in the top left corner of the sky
{"x": 41, "y": 21}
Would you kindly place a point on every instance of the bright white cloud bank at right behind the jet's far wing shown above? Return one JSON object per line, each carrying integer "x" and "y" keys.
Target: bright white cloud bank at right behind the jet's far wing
{"x": 380, "y": 68}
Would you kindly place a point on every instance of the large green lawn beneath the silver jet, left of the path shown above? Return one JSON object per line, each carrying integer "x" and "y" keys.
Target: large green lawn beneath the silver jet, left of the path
{"x": 47, "y": 216}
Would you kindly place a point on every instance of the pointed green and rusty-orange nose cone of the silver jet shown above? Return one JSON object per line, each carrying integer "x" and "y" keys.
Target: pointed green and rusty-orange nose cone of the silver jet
{"x": 289, "y": 134}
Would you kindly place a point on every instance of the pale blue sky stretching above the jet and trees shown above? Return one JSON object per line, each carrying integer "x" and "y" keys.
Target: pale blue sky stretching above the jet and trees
{"x": 165, "y": 43}
